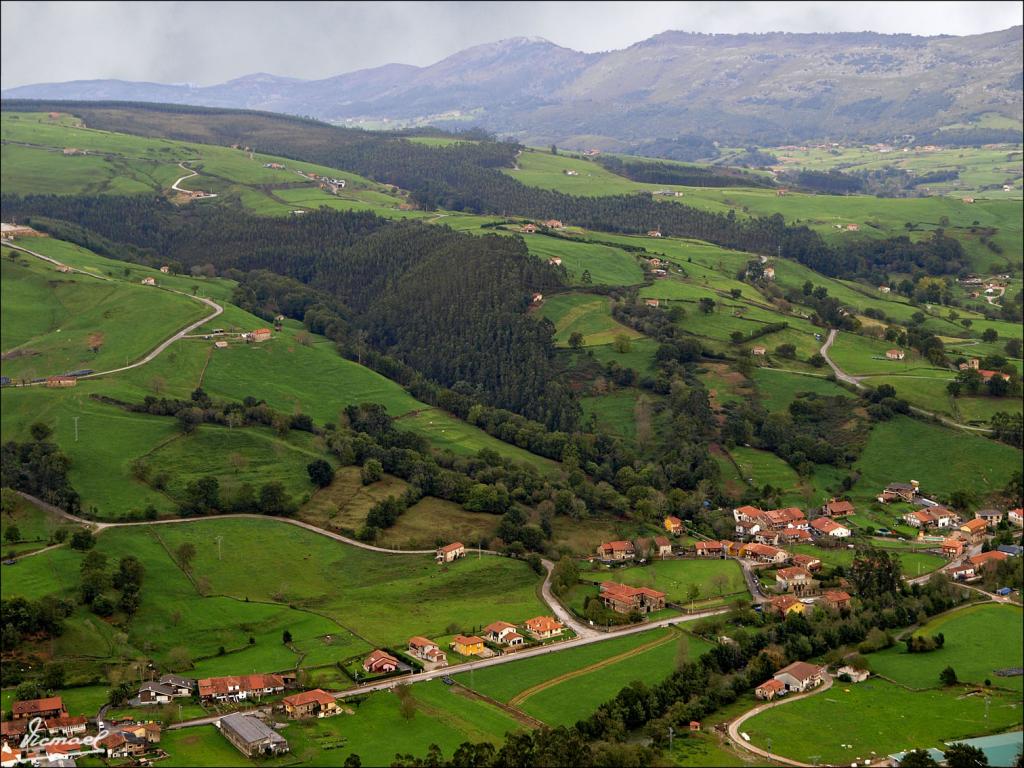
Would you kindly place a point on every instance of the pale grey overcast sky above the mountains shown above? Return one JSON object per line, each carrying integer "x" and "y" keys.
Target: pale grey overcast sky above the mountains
{"x": 206, "y": 44}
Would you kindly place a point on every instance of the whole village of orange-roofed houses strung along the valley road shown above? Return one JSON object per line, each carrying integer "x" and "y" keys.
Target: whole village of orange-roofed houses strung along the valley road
{"x": 250, "y": 711}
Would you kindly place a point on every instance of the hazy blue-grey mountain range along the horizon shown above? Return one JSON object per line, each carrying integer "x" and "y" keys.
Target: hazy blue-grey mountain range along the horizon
{"x": 766, "y": 89}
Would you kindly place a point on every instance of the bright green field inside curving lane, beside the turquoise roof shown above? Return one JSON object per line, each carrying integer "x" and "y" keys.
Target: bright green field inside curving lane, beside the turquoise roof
{"x": 878, "y": 719}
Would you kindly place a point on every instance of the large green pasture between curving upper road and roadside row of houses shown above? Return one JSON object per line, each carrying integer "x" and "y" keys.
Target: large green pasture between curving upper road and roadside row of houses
{"x": 337, "y": 602}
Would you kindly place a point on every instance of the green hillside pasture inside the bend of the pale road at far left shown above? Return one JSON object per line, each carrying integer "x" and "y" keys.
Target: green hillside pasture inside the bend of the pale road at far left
{"x": 55, "y": 323}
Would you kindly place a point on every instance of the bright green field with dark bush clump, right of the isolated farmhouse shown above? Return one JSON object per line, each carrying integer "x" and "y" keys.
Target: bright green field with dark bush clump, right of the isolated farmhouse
{"x": 979, "y": 641}
